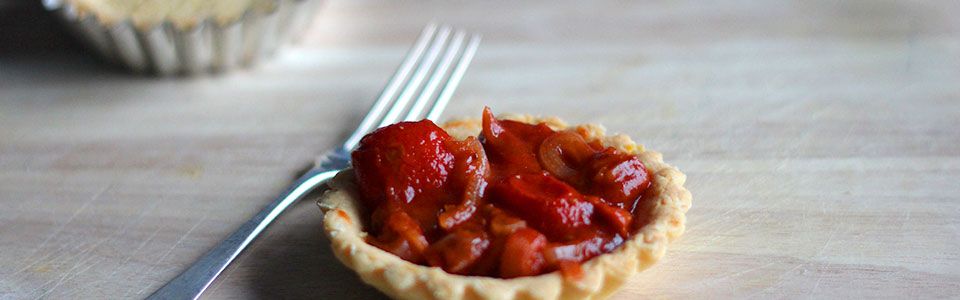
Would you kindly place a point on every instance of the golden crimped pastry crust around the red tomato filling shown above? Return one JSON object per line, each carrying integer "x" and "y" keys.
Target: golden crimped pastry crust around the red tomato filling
{"x": 602, "y": 275}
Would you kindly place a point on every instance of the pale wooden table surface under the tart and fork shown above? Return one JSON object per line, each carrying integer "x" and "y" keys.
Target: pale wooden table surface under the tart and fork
{"x": 821, "y": 140}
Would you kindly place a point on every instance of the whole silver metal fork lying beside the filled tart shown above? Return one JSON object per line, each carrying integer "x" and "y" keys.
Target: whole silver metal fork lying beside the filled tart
{"x": 430, "y": 59}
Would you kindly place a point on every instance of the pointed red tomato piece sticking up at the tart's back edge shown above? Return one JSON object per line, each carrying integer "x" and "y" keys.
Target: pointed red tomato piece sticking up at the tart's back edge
{"x": 512, "y": 145}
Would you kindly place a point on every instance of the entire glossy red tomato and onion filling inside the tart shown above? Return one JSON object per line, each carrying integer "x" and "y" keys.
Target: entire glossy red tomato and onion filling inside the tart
{"x": 521, "y": 200}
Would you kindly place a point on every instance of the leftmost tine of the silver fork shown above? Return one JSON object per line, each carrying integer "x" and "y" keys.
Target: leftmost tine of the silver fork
{"x": 393, "y": 86}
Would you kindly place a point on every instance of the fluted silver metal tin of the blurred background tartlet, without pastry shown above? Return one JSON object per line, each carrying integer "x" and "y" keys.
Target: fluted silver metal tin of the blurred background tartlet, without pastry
{"x": 165, "y": 49}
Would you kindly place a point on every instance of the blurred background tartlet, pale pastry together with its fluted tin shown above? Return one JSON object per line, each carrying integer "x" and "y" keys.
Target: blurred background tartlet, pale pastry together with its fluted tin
{"x": 184, "y": 36}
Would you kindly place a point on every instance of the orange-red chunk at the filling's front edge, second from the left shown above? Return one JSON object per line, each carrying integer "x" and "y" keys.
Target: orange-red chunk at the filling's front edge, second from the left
{"x": 458, "y": 251}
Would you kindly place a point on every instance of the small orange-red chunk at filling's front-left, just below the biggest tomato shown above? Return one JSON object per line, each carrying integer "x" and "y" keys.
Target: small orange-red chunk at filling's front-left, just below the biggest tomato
{"x": 401, "y": 235}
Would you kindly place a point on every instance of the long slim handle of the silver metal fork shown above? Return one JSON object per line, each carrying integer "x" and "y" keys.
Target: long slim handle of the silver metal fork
{"x": 192, "y": 282}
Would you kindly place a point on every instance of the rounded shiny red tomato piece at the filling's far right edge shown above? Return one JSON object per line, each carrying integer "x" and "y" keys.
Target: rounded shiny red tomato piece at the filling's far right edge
{"x": 618, "y": 178}
